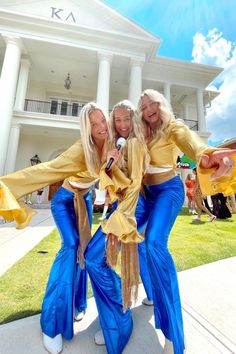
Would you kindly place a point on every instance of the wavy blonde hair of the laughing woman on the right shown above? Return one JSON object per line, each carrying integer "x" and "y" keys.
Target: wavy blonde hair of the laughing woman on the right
{"x": 166, "y": 114}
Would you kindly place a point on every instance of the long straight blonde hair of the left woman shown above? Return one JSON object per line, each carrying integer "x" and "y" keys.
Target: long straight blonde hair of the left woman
{"x": 90, "y": 151}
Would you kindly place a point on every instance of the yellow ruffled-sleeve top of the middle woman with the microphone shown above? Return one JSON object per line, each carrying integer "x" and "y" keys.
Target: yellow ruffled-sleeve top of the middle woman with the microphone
{"x": 122, "y": 222}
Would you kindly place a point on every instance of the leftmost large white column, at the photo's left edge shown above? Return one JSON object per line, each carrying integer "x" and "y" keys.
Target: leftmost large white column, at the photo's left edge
{"x": 8, "y": 83}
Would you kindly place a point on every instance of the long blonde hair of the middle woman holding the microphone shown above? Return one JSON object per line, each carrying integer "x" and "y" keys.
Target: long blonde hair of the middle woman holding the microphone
{"x": 135, "y": 132}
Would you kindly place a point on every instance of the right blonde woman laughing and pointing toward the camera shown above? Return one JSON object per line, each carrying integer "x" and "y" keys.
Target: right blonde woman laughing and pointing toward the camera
{"x": 165, "y": 195}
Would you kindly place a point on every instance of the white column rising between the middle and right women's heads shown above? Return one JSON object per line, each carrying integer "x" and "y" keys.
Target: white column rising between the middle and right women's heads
{"x": 135, "y": 80}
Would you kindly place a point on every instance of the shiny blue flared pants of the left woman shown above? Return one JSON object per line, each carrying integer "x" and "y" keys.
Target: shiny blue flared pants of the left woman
{"x": 67, "y": 284}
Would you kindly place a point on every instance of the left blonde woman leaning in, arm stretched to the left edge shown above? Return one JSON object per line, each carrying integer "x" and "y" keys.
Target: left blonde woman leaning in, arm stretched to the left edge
{"x": 79, "y": 166}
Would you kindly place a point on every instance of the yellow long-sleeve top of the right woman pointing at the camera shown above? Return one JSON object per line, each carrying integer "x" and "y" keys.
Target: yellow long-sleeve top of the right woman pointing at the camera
{"x": 164, "y": 151}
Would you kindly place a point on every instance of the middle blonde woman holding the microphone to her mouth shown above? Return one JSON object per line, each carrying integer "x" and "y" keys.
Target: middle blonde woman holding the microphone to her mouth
{"x": 115, "y": 316}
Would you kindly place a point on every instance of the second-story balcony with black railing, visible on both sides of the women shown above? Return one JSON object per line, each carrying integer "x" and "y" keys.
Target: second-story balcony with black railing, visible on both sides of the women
{"x": 73, "y": 109}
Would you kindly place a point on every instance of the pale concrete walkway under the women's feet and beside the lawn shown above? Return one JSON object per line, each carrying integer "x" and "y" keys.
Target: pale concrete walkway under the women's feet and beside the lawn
{"x": 208, "y": 298}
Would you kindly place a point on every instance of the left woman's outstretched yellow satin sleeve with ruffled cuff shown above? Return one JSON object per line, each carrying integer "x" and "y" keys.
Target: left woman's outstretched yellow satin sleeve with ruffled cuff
{"x": 28, "y": 180}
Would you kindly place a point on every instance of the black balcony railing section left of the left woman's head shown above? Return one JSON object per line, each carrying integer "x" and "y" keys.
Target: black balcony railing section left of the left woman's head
{"x": 54, "y": 107}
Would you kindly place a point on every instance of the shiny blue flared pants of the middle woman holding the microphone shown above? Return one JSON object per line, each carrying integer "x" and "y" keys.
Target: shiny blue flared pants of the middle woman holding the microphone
{"x": 116, "y": 325}
